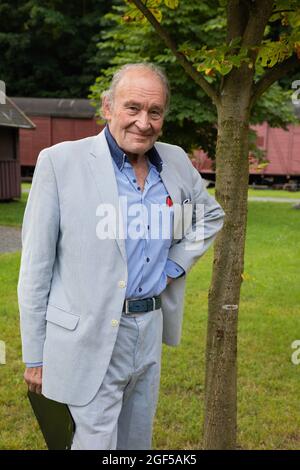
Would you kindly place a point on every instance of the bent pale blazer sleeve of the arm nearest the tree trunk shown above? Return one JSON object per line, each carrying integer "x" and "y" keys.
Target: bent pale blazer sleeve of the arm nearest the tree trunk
{"x": 207, "y": 218}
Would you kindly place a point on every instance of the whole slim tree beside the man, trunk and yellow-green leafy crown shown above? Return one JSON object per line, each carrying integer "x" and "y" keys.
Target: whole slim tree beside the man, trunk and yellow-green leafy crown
{"x": 261, "y": 46}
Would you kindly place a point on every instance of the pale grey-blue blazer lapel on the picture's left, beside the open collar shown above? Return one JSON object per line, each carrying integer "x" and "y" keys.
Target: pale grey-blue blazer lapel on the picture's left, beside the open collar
{"x": 100, "y": 162}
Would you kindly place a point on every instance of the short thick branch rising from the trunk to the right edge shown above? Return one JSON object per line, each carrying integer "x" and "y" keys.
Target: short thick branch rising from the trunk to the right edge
{"x": 274, "y": 74}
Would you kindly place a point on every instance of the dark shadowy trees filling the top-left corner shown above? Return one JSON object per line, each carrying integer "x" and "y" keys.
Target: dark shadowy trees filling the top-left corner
{"x": 47, "y": 48}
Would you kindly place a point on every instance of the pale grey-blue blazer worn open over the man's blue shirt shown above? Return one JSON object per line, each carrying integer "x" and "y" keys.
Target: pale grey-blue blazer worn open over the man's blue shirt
{"x": 72, "y": 285}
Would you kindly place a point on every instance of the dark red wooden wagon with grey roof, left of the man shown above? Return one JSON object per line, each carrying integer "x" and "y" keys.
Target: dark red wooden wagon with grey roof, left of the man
{"x": 56, "y": 120}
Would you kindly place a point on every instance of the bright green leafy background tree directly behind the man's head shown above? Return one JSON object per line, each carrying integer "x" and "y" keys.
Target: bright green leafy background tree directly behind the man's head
{"x": 191, "y": 122}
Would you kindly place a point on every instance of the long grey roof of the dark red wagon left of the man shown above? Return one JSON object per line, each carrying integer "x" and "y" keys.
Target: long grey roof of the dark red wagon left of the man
{"x": 56, "y": 107}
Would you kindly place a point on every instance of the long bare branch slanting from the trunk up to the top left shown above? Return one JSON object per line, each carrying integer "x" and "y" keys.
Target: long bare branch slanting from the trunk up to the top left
{"x": 188, "y": 67}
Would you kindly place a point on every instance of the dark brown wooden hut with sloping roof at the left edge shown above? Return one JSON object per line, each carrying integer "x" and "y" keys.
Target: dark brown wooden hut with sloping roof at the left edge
{"x": 11, "y": 120}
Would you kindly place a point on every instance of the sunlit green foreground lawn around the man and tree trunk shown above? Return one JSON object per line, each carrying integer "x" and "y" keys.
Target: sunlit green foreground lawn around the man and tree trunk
{"x": 269, "y": 321}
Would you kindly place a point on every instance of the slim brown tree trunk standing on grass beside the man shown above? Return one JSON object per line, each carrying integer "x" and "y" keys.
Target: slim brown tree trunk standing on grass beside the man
{"x": 220, "y": 420}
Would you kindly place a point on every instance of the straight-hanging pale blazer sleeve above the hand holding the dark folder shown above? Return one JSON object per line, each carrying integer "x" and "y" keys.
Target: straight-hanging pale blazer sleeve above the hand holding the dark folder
{"x": 39, "y": 238}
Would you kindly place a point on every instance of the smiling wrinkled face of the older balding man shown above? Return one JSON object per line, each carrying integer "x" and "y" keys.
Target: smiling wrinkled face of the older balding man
{"x": 136, "y": 115}
